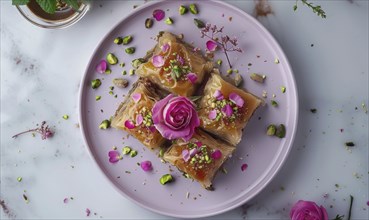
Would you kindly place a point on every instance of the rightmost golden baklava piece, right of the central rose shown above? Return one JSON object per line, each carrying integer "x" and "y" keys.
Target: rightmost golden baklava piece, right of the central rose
{"x": 226, "y": 109}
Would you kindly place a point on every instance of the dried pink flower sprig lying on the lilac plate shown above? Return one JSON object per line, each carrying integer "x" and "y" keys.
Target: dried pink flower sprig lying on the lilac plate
{"x": 226, "y": 43}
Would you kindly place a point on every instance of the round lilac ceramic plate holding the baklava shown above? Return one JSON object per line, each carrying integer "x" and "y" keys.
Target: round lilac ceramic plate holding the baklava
{"x": 263, "y": 154}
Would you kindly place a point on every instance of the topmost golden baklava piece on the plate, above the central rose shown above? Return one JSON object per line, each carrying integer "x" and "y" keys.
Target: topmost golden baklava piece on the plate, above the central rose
{"x": 175, "y": 66}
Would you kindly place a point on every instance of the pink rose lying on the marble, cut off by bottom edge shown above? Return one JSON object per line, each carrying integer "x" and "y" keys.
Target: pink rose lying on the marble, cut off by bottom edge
{"x": 307, "y": 210}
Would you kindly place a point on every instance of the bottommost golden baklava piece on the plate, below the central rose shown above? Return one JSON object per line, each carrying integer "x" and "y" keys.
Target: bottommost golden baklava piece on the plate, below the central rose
{"x": 200, "y": 158}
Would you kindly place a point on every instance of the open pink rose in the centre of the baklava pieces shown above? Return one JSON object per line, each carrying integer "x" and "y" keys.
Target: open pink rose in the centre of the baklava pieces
{"x": 175, "y": 117}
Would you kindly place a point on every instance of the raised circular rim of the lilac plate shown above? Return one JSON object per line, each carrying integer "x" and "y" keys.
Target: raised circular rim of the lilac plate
{"x": 271, "y": 174}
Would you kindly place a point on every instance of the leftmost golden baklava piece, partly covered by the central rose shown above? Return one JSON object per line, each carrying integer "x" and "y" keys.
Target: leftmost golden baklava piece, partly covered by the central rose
{"x": 134, "y": 114}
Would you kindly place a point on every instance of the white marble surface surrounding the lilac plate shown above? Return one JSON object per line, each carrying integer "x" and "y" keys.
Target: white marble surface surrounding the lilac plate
{"x": 40, "y": 75}
